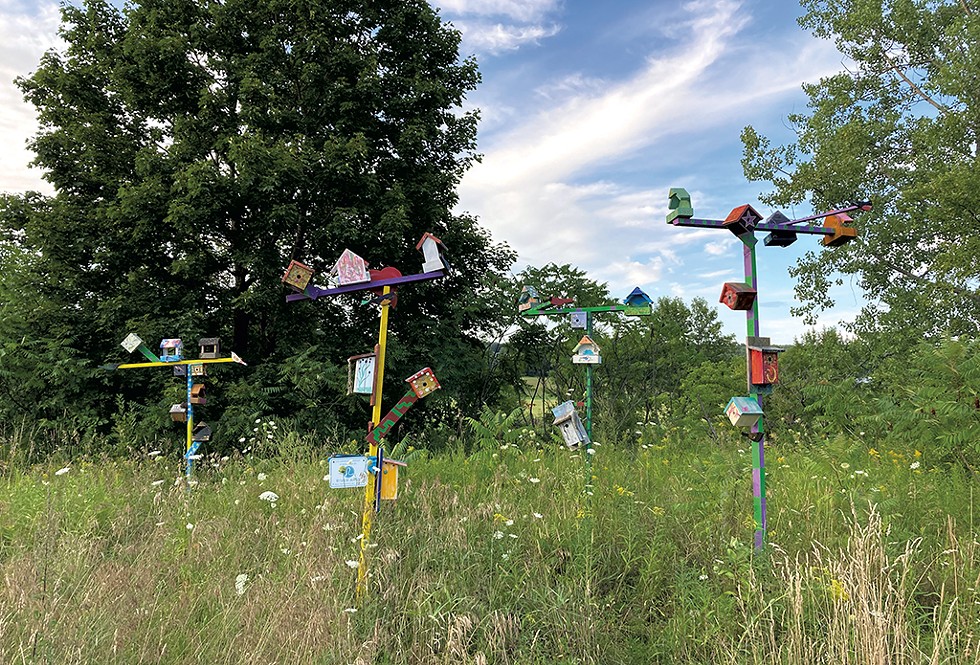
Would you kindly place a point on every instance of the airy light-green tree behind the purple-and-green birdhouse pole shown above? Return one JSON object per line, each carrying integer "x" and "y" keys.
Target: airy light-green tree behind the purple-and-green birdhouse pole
{"x": 900, "y": 126}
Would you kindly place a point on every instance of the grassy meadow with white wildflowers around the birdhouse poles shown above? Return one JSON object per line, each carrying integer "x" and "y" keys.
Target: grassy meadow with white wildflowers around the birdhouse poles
{"x": 493, "y": 553}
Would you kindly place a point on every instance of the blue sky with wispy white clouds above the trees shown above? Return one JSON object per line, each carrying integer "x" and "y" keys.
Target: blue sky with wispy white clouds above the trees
{"x": 590, "y": 113}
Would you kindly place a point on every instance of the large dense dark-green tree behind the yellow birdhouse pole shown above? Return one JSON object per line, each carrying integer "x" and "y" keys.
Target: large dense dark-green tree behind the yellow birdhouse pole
{"x": 196, "y": 146}
